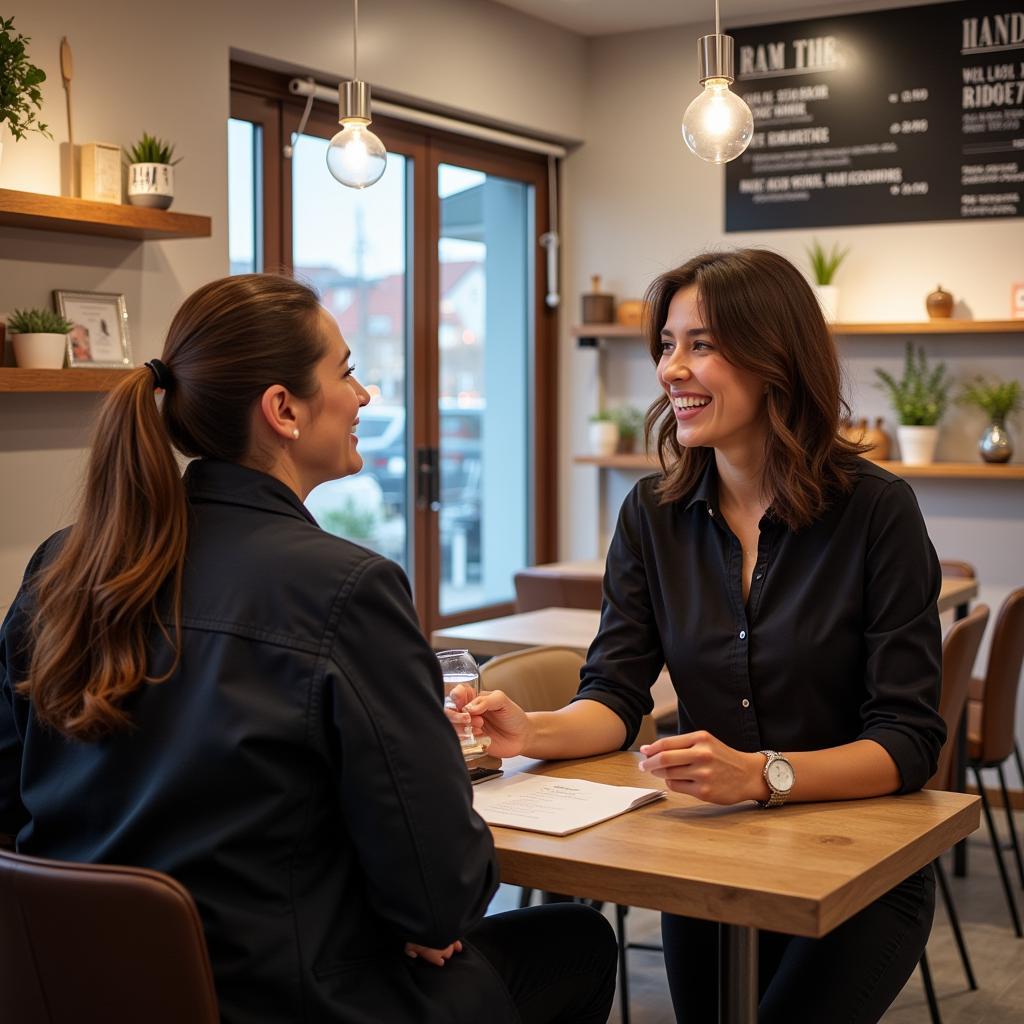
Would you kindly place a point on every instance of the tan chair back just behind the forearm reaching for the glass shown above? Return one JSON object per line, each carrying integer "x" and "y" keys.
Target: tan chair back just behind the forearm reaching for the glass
{"x": 544, "y": 679}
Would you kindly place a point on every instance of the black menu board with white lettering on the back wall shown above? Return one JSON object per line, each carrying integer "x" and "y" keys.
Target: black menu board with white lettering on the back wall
{"x": 880, "y": 118}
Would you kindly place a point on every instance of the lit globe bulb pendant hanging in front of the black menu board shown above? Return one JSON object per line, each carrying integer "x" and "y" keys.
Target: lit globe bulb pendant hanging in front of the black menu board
{"x": 718, "y": 126}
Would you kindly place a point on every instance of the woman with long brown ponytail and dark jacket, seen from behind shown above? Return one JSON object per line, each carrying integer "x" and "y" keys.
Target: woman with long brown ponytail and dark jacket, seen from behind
{"x": 196, "y": 678}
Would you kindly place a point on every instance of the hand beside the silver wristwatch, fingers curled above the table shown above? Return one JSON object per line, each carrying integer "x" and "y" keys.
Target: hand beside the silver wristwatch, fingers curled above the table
{"x": 702, "y": 766}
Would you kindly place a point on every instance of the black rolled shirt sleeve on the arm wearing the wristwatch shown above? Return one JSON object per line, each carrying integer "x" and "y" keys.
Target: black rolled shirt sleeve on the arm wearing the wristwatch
{"x": 904, "y": 641}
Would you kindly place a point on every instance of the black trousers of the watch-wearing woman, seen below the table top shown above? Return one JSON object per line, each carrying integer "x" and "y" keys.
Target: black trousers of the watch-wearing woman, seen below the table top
{"x": 851, "y": 976}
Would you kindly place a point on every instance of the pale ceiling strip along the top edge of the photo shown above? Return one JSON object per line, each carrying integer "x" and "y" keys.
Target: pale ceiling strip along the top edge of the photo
{"x": 604, "y": 18}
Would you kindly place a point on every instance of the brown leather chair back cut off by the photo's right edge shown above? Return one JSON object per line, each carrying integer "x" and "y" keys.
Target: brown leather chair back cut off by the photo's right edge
{"x": 993, "y": 738}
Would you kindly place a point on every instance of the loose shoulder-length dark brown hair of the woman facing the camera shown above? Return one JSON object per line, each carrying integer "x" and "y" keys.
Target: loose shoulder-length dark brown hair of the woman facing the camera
{"x": 765, "y": 319}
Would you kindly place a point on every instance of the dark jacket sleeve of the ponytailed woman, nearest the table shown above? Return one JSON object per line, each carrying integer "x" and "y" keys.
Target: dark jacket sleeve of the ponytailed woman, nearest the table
{"x": 429, "y": 858}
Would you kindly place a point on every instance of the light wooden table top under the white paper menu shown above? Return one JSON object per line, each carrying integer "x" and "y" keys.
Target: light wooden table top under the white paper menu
{"x": 803, "y": 869}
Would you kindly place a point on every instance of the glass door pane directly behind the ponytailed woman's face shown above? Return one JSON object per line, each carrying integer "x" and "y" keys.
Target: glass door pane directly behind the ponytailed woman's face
{"x": 351, "y": 246}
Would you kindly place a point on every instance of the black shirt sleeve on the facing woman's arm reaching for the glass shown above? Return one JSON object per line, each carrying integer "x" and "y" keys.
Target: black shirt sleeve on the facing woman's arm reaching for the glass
{"x": 627, "y": 655}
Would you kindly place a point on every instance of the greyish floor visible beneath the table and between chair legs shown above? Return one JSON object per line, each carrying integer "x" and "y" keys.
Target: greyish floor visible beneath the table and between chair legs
{"x": 997, "y": 956}
